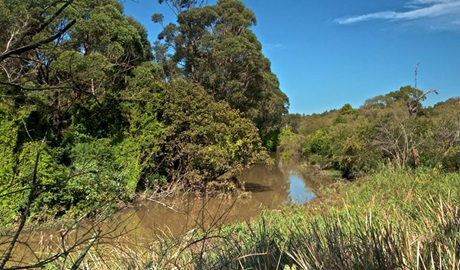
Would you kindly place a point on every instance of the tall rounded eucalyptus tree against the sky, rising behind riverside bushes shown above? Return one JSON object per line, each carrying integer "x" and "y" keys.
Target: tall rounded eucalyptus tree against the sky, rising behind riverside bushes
{"x": 215, "y": 47}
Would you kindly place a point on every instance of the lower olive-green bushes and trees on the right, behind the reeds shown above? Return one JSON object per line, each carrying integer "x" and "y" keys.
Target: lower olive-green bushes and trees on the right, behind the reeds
{"x": 390, "y": 130}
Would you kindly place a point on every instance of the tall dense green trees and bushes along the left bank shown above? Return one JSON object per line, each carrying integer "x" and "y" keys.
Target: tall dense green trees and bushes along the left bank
{"x": 81, "y": 86}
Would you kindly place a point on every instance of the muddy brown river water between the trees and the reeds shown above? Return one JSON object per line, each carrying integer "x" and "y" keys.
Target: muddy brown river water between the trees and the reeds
{"x": 153, "y": 216}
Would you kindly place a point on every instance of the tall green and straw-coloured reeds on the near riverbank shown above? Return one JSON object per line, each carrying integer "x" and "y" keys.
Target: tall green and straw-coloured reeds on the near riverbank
{"x": 404, "y": 219}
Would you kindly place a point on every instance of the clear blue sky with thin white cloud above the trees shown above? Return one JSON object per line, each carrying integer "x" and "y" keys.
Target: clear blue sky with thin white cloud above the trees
{"x": 331, "y": 52}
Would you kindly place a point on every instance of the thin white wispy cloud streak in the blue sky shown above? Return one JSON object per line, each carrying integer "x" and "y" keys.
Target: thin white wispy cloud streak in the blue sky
{"x": 418, "y": 9}
